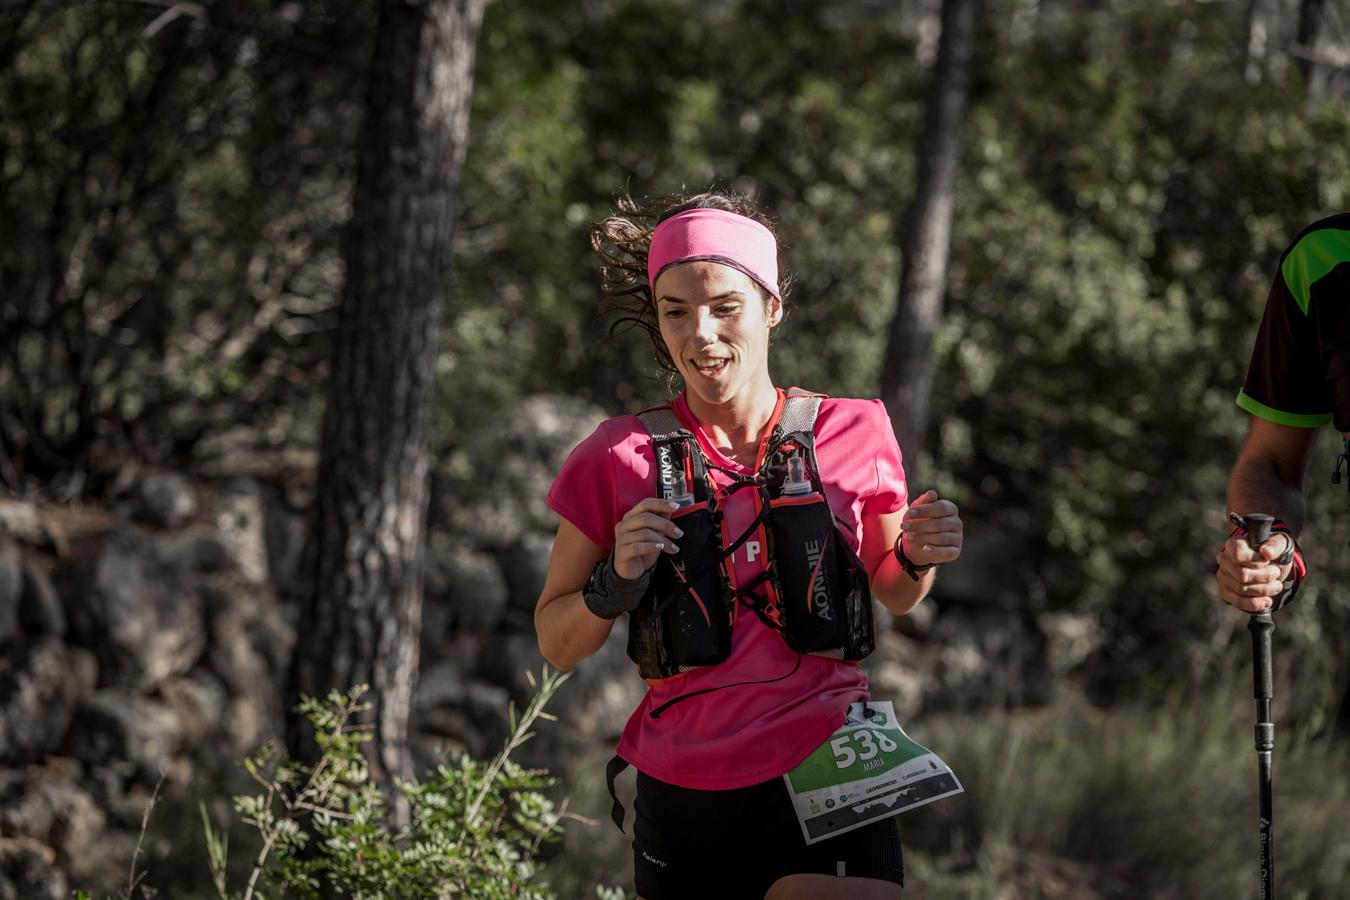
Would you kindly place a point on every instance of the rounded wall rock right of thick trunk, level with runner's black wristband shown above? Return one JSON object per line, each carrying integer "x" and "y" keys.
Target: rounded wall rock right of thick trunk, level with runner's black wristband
{"x": 466, "y": 592}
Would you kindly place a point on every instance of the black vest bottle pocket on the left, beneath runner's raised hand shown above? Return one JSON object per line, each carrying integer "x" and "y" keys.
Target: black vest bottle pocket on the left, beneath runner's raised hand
{"x": 684, "y": 621}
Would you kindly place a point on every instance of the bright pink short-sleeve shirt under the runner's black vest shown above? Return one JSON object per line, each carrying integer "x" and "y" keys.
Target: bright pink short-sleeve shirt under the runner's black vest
{"x": 746, "y": 735}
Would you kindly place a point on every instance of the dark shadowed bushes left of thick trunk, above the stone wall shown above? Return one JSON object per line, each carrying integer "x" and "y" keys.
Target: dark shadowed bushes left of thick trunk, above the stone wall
{"x": 179, "y": 183}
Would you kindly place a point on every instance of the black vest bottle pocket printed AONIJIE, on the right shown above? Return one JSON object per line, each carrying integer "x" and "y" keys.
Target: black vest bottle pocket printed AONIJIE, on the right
{"x": 823, "y": 588}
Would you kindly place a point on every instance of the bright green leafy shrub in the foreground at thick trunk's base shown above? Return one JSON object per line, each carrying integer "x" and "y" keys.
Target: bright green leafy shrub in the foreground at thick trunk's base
{"x": 475, "y": 828}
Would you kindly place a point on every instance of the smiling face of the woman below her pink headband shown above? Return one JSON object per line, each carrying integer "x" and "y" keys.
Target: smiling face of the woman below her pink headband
{"x": 716, "y": 325}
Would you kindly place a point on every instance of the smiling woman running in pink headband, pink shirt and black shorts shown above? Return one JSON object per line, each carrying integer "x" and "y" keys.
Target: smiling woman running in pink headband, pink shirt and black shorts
{"x": 716, "y": 733}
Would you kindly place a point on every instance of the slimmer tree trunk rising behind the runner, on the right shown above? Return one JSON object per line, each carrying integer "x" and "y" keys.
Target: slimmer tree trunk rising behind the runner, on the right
{"x": 908, "y": 374}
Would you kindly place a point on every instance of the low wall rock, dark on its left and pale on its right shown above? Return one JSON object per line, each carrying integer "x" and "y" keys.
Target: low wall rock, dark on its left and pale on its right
{"x": 118, "y": 725}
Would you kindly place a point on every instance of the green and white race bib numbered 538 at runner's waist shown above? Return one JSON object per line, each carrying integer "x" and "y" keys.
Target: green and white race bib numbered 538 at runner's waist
{"x": 869, "y": 770}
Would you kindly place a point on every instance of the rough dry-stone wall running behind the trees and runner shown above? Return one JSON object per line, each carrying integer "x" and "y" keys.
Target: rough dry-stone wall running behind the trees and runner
{"x": 151, "y": 639}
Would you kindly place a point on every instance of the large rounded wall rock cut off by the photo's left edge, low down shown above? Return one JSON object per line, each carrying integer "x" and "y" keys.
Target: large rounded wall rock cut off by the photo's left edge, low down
{"x": 37, "y": 700}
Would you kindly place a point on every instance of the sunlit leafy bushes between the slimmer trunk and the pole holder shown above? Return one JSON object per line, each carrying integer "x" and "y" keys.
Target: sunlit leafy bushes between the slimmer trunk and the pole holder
{"x": 1127, "y": 198}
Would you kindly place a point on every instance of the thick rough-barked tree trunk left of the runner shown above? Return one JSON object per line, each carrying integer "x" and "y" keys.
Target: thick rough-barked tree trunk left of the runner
{"x": 362, "y": 608}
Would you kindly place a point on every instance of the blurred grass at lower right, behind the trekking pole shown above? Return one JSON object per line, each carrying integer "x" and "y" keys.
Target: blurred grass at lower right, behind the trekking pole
{"x": 1139, "y": 802}
